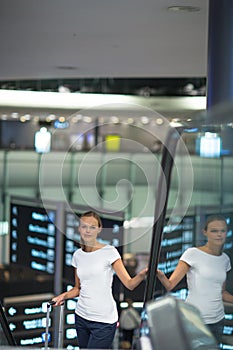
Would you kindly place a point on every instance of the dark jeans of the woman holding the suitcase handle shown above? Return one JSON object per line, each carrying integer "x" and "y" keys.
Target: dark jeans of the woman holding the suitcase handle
{"x": 94, "y": 335}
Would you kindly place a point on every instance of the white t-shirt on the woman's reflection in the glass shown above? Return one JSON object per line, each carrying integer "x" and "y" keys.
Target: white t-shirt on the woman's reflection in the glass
{"x": 205, "y": 278}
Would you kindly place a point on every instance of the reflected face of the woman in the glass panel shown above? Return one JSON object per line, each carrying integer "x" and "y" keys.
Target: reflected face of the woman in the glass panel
{"x": 216, "y": 232}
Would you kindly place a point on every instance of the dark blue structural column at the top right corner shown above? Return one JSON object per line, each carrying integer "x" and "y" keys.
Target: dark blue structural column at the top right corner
{"x": 220, "y": 53}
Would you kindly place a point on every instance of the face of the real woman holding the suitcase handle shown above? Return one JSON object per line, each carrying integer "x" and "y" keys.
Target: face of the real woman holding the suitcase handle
{"x": 89, "y": 229}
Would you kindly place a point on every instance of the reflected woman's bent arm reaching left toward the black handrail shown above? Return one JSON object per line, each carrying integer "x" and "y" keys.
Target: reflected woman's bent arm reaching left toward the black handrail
{"x": 179, "y": 273}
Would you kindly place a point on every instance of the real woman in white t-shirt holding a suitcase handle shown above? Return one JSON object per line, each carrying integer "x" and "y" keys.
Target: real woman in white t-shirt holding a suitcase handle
{"x": 96, "y": 313}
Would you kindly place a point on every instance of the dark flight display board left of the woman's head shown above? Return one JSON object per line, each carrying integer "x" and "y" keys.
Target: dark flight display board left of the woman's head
{"x": 32, "y": 237}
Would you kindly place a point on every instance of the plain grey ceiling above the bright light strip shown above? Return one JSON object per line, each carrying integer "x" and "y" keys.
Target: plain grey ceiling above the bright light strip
{"x": 145, "y": 46}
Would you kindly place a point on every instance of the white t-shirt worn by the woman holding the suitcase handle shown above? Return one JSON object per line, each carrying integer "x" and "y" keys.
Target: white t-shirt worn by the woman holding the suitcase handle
{"x": 95, "y": 272}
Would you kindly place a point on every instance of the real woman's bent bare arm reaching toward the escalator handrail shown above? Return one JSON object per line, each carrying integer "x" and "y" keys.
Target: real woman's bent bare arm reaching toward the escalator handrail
{"x": 122, "y": 273}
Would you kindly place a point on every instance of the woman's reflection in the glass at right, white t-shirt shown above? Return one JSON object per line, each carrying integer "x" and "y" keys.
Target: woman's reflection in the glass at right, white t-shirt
{"x": 206, "y": 268}
